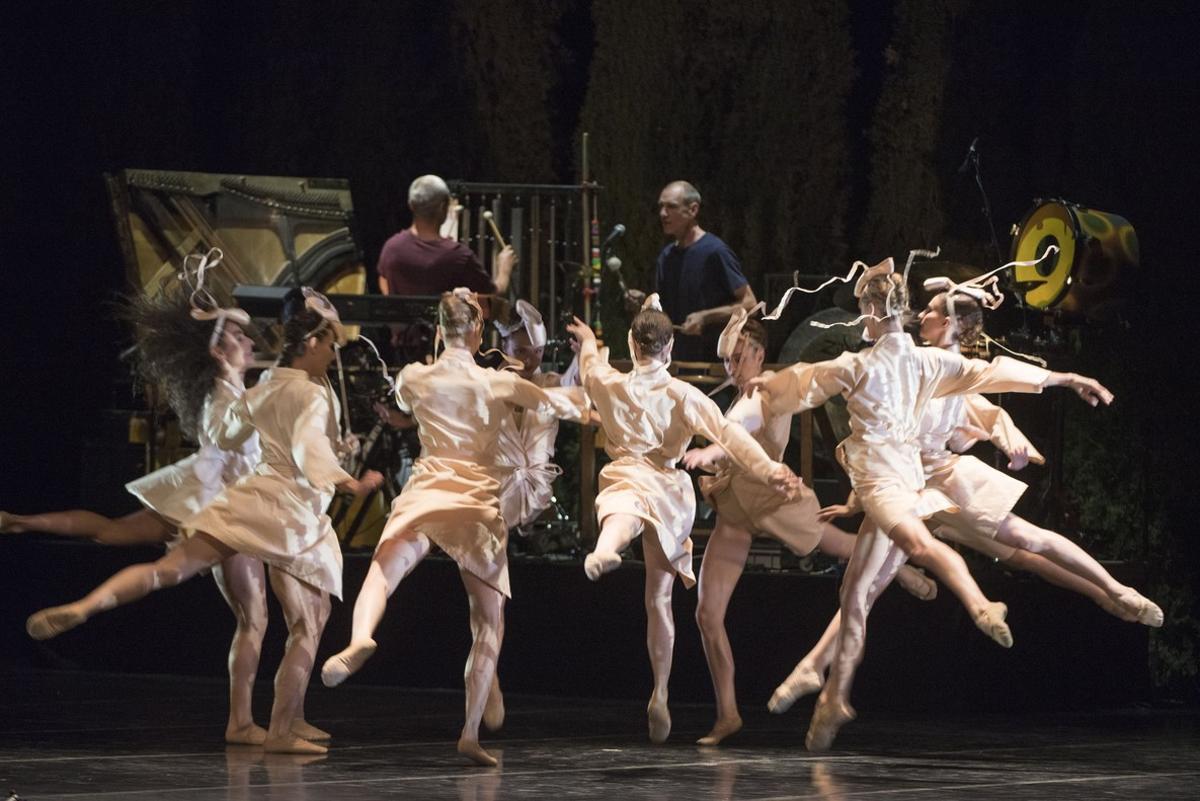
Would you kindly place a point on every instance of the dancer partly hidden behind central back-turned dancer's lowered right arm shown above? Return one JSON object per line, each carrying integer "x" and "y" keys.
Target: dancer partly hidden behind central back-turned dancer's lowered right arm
{"x": 747, "y": 508}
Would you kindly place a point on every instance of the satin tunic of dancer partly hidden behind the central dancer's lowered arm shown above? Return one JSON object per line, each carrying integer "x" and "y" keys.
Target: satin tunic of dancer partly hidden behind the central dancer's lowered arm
{"x": 748, "y": 504}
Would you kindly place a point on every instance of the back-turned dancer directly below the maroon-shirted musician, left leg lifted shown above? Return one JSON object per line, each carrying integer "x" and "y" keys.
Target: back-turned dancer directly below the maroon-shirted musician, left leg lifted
{"x": 452, "y": 502}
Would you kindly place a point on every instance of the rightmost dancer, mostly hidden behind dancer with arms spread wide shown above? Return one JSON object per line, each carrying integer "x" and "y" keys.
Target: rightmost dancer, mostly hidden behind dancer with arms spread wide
{"x": 985, "y": 497}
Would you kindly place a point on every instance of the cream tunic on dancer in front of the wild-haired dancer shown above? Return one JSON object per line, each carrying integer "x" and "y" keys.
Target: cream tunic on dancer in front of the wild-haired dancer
{"x": 278, "y": 513}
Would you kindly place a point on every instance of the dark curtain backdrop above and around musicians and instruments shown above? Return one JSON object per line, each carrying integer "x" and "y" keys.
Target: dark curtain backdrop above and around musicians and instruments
{"x": 819, "y": 134}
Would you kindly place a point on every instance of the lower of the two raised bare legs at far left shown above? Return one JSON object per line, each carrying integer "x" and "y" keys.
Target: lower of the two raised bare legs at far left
{"x": 136, "y": 582}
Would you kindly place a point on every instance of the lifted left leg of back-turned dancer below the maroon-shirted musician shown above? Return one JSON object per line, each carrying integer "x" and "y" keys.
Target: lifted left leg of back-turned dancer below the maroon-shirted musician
{"x": 394, "y": 559}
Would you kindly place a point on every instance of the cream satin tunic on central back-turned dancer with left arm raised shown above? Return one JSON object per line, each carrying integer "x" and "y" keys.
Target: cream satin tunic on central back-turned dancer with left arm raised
{"x": 650, "y": 419}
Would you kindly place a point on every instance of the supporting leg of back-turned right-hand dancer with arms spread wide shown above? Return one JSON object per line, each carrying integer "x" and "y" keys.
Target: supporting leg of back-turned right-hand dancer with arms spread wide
{"x": 873, "y": 565}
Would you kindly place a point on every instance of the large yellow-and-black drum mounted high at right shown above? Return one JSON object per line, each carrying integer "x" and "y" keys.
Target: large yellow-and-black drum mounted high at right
{"x": 1084, "y": 279}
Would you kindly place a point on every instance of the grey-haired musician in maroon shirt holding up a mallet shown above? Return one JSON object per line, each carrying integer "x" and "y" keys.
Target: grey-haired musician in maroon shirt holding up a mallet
{"x": 419, "y": 261}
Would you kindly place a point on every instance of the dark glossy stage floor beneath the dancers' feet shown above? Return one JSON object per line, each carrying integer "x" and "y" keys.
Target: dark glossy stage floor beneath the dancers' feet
{"x": 81, "y": 736}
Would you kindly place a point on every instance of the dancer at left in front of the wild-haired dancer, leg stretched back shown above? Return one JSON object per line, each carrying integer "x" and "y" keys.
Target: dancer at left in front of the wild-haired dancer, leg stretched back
{"x": 277, "y": 515}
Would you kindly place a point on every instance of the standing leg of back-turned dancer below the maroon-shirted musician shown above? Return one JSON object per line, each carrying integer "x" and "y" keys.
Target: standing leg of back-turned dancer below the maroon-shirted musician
{"x": 487, "y": 637}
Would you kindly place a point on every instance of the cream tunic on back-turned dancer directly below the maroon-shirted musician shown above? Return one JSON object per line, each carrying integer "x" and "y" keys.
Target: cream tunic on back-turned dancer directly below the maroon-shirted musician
{"x": 453, "y": 496}
